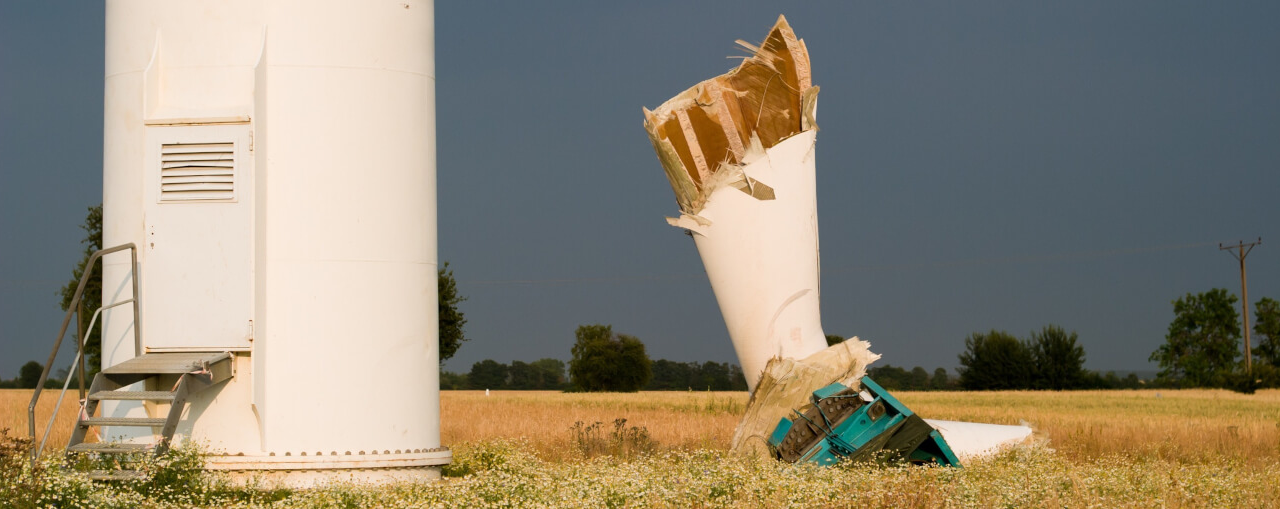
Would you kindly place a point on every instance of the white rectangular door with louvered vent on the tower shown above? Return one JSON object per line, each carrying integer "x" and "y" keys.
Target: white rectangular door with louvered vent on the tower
{"x": 198, "y": 263}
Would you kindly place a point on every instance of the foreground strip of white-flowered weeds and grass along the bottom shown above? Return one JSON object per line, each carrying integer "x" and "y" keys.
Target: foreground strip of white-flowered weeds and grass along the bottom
{"x": 508, "y": 474}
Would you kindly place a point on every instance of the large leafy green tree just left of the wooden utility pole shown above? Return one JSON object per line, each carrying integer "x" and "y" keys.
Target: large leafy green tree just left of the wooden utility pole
{"x": 1204, "y": 341}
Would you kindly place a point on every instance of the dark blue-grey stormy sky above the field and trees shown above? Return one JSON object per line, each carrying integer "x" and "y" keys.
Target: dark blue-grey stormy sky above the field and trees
{"x": 981, "y": 166}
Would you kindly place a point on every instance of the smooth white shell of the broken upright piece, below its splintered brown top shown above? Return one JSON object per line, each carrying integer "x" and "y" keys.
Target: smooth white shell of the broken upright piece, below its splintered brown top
{"x": 762, "y": 258}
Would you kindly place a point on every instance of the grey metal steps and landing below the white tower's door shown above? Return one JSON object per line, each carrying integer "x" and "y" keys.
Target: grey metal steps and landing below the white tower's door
{"x": 194, "y": 373}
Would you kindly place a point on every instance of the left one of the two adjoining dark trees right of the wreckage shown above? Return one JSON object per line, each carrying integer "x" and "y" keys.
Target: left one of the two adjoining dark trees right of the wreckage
{"x": 995, "y": 361}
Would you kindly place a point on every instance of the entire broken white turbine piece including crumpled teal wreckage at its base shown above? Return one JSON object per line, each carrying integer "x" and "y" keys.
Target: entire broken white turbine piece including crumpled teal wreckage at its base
{"x": 739, "y": 153}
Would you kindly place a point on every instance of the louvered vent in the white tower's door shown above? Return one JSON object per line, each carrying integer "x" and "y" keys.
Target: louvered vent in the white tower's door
{"x": 198, "y": 172}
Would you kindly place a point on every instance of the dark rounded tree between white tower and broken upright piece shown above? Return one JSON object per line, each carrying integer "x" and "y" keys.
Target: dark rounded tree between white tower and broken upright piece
{"x": 609, "y": 363}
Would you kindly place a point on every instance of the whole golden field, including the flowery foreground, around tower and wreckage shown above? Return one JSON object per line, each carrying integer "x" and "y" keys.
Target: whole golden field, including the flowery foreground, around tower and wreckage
{"x": 1168, "y": 448}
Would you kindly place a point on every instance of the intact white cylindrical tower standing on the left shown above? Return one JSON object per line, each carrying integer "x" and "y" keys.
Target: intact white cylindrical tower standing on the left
{"x": 322, "y": 265}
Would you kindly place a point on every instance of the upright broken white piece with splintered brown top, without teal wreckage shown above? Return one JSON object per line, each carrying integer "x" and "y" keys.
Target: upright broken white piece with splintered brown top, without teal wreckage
{"x": 739, "y": 153}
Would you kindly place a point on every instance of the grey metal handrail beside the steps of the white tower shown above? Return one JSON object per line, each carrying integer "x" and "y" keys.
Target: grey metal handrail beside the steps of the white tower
{"x": 74, "y": 310}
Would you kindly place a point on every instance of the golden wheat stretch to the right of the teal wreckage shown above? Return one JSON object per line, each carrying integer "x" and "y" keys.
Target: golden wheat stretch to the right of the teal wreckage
{"x": 1174, "y": 425}
